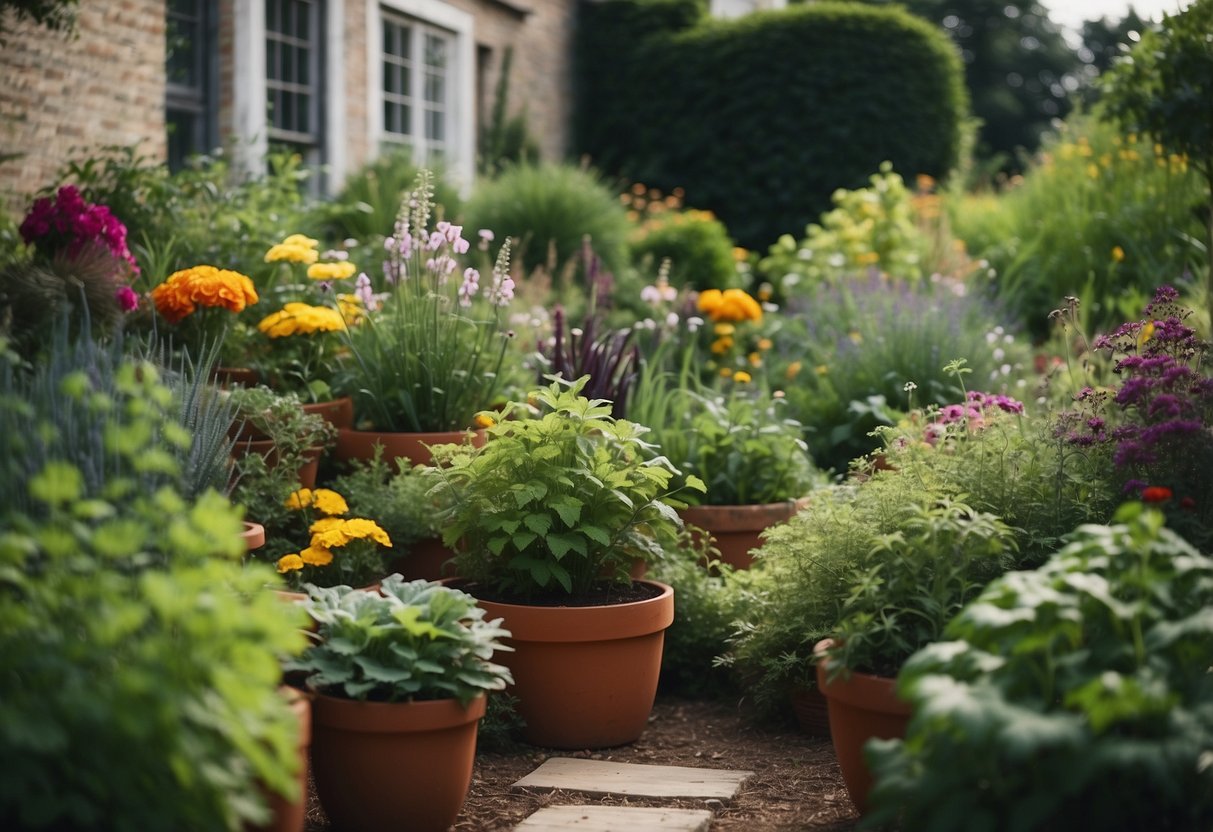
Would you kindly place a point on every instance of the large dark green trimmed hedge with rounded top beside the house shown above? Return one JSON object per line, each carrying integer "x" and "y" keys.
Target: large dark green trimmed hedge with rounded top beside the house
{"x": 761, "y": 118}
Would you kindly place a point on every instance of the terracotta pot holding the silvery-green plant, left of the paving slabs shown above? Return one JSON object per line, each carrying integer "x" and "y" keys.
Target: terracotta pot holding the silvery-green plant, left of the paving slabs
{"x": 383, "y": 767}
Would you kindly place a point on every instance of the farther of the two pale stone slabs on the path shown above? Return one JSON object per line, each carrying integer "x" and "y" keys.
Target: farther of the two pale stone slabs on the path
{"x": 593, "y": 777}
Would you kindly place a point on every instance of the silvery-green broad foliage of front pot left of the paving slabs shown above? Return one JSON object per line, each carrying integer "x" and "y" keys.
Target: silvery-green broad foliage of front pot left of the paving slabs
{"x": 408, "y": 642}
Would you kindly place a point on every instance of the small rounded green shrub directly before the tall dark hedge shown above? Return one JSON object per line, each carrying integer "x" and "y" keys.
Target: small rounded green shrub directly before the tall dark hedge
{"x": 696, "y": 243}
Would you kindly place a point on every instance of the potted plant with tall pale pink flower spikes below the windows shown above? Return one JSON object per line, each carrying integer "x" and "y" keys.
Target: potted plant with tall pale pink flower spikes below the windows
{"x": 429, "y": 355}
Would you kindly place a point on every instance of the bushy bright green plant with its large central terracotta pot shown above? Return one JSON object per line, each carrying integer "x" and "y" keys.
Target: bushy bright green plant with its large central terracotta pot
{"x": 549, "y": 518}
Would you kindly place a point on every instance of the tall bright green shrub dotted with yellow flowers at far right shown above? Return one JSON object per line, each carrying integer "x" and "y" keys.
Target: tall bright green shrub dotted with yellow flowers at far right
{"x": 1100, "y": 216}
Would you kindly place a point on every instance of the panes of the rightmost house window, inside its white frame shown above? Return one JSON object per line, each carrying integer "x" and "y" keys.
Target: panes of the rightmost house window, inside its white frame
{"x": 418, "y": 87}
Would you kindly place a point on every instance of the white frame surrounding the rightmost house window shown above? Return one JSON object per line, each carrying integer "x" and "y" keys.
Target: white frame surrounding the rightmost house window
{"x": 460, "y": 144}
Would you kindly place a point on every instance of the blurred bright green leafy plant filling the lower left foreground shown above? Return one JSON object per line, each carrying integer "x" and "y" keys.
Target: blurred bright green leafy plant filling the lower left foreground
{"x": 141, "y": 658}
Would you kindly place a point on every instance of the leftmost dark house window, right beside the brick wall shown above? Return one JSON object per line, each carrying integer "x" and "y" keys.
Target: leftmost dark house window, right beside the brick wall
{"x": 190, "y": 111}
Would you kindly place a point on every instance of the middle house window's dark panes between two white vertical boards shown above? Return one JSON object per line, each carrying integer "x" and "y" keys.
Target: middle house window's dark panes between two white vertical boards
{"x": 293, "y": 72}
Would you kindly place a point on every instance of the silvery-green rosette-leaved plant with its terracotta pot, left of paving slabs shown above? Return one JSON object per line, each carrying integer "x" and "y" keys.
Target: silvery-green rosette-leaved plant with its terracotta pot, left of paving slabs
{"x": 401, "y": 679}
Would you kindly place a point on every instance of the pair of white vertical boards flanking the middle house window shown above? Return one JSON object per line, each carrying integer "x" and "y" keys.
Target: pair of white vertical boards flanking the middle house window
{"x": 249, "y": 98}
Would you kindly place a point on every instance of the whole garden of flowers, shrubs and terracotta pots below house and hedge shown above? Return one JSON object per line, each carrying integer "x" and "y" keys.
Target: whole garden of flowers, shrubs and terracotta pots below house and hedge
{"x": 349, "y": 512}
